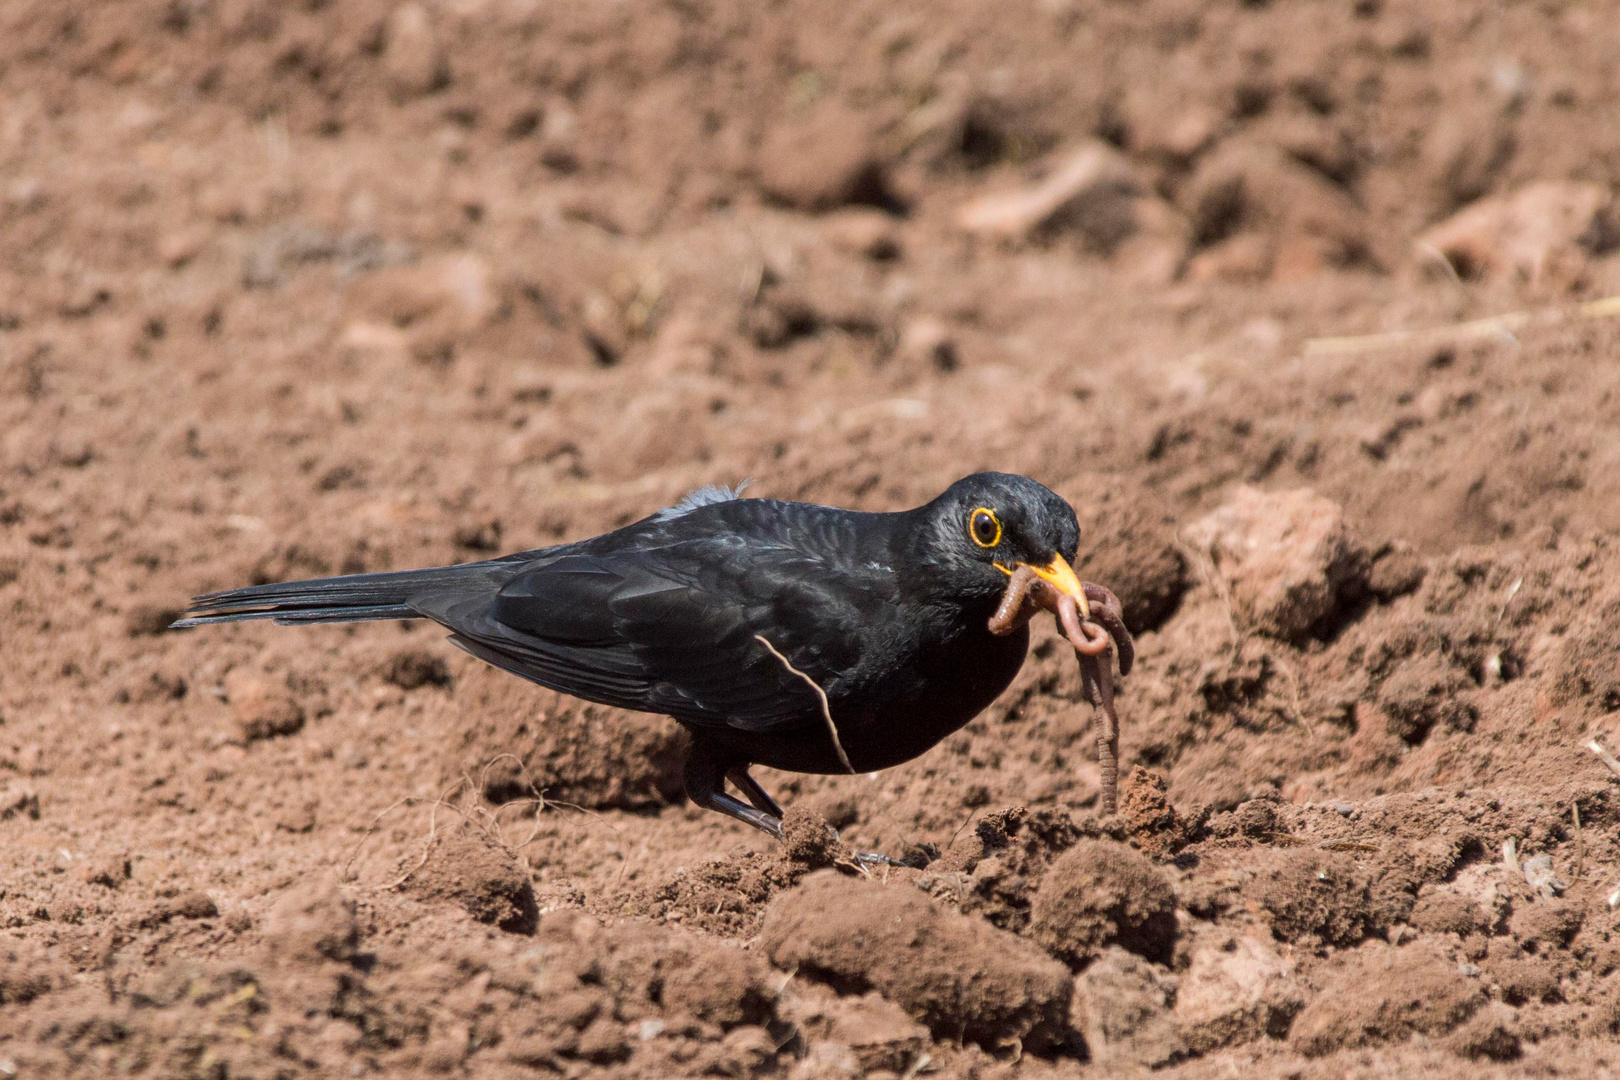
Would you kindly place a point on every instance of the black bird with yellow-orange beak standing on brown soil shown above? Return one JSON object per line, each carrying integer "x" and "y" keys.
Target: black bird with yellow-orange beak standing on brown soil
{"x": 780, "y": 634}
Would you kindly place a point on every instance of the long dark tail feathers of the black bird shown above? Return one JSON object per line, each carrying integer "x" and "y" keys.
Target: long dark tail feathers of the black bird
{"x": 351, "y": 598}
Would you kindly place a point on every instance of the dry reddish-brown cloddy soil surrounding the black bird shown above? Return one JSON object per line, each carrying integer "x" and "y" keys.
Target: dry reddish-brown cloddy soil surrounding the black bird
{"x": 331, "y": 287}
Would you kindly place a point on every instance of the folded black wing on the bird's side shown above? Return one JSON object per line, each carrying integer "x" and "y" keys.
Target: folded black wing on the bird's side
{"x": 673, "y": 629}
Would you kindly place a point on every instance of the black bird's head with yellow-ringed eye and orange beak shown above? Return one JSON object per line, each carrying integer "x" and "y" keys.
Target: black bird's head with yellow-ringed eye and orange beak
{"x": 989, "y": 525}
